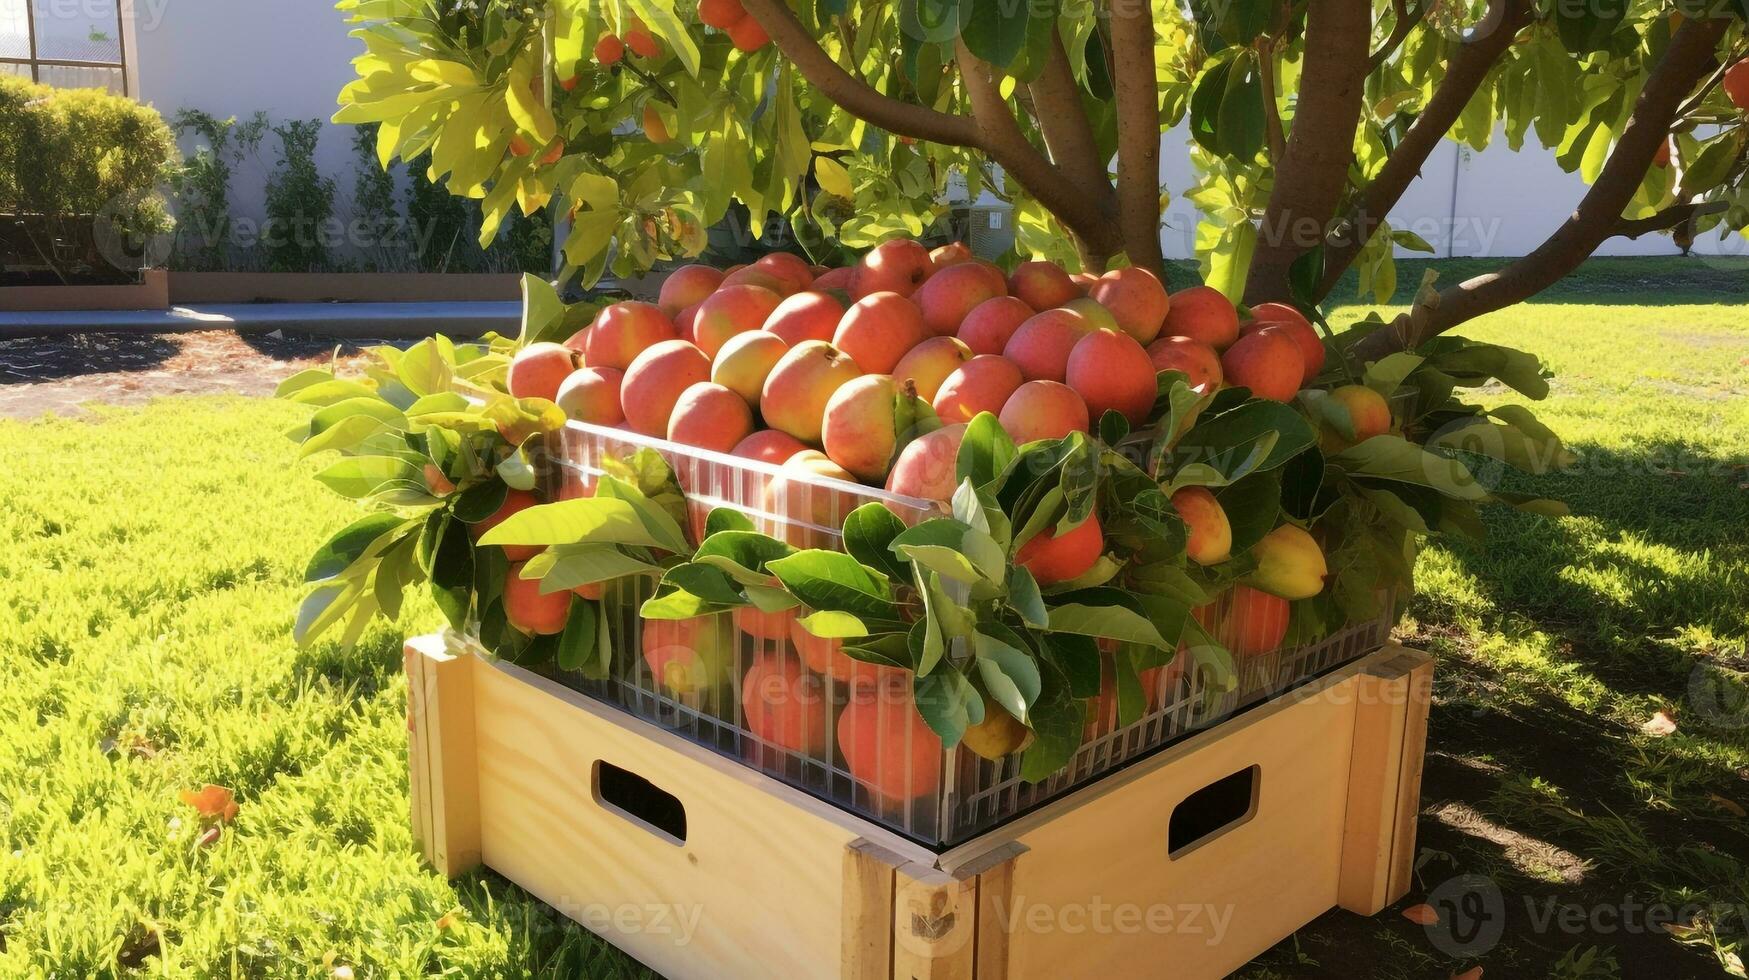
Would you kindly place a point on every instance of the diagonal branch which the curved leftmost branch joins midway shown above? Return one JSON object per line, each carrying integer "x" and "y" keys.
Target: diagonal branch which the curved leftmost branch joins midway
{"x": 998, "y": 136}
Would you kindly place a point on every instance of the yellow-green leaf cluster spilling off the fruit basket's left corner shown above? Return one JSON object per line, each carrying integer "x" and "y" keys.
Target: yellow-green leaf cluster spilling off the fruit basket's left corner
{"x": 431, "y": 442}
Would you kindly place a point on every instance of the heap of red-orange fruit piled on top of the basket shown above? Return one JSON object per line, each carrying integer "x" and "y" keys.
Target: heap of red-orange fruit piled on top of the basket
{"x": 786, "y": 363}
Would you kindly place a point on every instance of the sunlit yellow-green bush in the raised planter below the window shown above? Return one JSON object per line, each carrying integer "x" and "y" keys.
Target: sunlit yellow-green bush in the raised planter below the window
{"x": 80, "y": 174}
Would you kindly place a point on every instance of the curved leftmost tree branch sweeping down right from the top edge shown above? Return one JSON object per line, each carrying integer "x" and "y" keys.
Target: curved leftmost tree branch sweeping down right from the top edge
{"x": 853, "y": 94}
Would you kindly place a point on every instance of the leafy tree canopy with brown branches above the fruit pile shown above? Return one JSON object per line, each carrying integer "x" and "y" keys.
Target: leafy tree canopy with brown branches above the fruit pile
{"x": 851, "y": 120}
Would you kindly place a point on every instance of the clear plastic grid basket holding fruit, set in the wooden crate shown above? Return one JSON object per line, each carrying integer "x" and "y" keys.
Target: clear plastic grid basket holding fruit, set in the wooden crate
{"x": 844, "y": 731}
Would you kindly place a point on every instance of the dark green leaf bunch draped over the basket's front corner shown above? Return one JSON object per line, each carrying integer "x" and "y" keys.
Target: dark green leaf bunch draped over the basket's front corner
{"x": 947, "y": 599}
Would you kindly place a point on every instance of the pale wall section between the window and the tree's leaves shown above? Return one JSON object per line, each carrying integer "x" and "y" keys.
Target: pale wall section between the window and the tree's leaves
{"x": 237, "y": 57}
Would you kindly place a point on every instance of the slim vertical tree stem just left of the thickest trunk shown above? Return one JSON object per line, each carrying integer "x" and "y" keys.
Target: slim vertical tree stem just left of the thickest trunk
{"x": 1138, "y": 95}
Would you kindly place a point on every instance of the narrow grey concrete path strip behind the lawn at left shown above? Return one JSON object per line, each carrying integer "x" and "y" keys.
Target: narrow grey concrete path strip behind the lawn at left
{"x": 323, "y": 319}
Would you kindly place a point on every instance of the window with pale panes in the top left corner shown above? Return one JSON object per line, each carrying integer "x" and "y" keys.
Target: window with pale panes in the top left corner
{"x": 64, "y": 43}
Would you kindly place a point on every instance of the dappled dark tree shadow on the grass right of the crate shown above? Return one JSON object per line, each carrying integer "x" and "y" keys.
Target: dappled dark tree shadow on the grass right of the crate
{"x": 1536, "y": 795}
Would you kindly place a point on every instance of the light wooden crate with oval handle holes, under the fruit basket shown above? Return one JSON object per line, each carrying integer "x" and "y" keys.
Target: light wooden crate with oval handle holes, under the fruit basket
{"x": 1185, "y": 864}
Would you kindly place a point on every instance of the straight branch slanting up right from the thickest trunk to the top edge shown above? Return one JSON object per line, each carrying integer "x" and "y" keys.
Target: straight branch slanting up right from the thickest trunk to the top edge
{"x": 1463, "y": 76}
